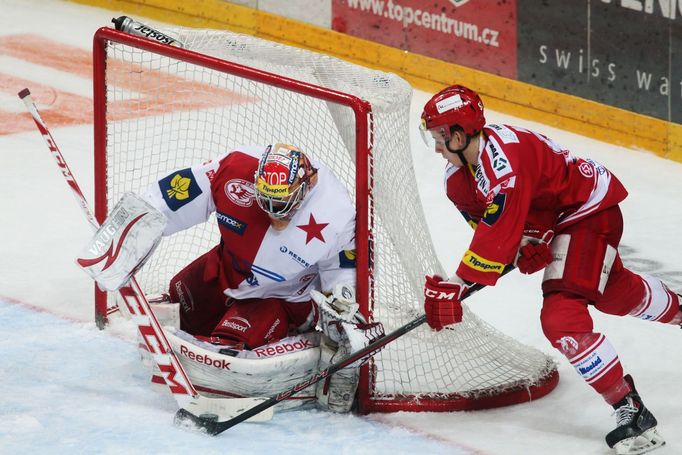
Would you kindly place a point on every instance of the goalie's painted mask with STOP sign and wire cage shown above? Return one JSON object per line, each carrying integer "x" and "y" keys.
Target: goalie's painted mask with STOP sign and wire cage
{"x": 282, "y": 180}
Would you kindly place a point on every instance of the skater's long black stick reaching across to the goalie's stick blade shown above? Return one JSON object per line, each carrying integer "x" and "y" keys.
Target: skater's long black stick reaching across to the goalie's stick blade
{"x": 214, "y": 427}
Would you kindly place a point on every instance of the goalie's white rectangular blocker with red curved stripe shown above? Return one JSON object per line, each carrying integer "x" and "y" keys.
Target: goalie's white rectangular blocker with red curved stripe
{"x": 123, "y": 243}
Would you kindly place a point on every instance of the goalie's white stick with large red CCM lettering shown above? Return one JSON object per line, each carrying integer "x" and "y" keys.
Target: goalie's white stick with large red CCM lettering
{"x": 171, "y": 369}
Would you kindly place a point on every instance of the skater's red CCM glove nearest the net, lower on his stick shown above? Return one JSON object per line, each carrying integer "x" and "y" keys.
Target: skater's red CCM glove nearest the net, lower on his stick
{"x": 442, "y": 300}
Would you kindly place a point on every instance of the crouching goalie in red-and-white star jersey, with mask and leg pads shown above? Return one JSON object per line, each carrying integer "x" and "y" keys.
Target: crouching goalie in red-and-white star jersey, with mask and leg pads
{"x": 284, "y": 264}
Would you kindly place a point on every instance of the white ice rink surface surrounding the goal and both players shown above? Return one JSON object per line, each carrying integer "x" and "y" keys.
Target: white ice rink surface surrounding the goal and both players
{"x": 70, "y": 388}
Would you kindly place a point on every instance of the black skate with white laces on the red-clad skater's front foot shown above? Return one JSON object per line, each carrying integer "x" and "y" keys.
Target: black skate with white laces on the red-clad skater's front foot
{"x": 636, "y": 431}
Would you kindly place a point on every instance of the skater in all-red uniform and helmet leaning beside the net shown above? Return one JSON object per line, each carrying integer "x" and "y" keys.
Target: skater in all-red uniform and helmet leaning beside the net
{"x": 535, "y": 205}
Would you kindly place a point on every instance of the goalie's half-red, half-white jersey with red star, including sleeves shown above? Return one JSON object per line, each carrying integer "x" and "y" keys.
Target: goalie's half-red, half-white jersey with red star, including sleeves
{"x": 314, "y": 251}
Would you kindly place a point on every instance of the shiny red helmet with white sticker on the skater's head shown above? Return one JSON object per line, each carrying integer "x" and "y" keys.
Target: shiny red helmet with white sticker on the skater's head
{"x": 453, "y": 106}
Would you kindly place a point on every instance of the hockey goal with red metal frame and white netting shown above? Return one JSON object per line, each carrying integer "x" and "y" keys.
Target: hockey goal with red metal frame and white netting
{"x": 159, "y": 108}
